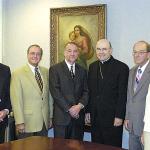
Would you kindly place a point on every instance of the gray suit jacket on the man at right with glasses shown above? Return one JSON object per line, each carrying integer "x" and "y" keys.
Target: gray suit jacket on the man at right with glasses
{"x": 136, "y": 100}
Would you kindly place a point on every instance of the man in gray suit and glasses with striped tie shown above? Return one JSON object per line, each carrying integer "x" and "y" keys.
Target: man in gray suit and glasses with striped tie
{"x": 139, "y": 80}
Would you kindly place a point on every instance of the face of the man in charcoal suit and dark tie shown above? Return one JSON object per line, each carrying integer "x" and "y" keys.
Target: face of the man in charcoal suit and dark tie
{"x": 71, "y": 53}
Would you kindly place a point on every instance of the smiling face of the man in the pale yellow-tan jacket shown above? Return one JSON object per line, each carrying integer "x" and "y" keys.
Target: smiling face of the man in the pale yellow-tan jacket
{"x": 34, "y": 56}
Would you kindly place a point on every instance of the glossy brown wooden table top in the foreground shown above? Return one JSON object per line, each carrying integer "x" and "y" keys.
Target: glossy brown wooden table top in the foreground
{"x": 45, "y": 143}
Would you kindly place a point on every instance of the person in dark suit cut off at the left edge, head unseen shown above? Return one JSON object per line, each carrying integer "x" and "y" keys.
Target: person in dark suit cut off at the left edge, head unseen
{"x": 4, "y": 99}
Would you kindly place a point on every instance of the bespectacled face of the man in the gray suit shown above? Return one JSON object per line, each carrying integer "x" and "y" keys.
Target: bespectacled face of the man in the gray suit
{"x": 140, "y": 53}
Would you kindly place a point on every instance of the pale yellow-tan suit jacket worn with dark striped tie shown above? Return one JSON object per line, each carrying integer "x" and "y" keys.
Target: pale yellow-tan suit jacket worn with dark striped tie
{"x": 30, "y": 105}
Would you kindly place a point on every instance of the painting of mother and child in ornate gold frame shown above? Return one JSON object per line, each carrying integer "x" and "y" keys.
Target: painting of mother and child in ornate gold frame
{"x": 84, "y": 25}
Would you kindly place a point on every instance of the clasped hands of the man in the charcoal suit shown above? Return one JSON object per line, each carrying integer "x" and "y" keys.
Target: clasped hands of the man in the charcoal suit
{"x": 74, "y": 111}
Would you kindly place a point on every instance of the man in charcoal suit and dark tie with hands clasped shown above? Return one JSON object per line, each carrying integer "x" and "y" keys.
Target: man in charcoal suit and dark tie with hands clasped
{"x": 68, "y": 86}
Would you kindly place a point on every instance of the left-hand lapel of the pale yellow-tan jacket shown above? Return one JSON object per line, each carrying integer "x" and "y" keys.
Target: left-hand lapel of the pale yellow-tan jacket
{"x": 31, "y": 77}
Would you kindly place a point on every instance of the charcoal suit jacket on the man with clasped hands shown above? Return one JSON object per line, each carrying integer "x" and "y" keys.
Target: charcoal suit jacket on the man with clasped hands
{"x": 67, "y": 91}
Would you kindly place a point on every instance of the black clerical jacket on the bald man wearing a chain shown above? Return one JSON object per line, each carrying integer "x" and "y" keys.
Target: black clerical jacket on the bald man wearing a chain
{"x": 109, "y": 101}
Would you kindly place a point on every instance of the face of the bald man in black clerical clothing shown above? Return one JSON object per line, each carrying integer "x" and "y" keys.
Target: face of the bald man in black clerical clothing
{"x": 103, "y": 50}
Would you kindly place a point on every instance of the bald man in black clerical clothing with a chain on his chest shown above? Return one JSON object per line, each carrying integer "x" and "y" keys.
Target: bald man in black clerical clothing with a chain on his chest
{"x": 107, "y": 81}
